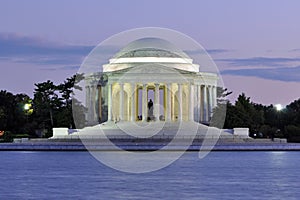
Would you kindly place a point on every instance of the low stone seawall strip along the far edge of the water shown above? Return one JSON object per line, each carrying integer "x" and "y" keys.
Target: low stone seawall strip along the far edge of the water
{"x": 153, "y": 146}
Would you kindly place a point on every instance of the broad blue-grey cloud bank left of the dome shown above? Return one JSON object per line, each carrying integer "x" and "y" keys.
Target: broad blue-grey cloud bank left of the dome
{"x": 22, "y": 49}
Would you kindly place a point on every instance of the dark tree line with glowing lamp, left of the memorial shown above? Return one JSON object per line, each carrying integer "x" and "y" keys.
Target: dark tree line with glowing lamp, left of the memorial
{"x": 51, "y": 106}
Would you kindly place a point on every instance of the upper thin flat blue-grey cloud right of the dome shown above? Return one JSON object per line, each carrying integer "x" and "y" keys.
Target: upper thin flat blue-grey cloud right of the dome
{"x": 259, "y": 61}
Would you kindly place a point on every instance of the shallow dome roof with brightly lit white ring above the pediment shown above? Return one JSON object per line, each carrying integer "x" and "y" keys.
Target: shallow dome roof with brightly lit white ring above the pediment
{"x": 151, "y": 50}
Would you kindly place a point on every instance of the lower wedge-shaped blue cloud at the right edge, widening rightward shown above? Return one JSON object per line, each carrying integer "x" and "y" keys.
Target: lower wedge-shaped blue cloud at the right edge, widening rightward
{"x": 287, "y": 74}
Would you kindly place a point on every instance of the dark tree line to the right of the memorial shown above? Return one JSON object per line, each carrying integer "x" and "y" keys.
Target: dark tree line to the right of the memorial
{"x": 264, "y": 121}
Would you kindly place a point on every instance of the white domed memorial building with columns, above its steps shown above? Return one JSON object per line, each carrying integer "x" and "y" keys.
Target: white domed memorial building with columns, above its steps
{"x": 150, "y": 80}
